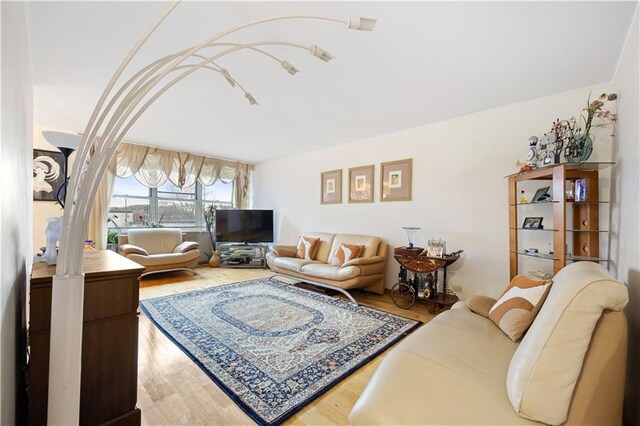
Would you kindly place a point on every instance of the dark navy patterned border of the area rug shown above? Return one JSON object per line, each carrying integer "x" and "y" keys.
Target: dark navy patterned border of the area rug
{"x": 245, "y": 407}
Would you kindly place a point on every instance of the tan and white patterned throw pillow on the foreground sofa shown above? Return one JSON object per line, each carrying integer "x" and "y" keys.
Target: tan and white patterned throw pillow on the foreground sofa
{"x": 518, "y": 306}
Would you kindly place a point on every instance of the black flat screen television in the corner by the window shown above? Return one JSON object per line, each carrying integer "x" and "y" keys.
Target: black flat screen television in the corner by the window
{"x": 244, "y": 226}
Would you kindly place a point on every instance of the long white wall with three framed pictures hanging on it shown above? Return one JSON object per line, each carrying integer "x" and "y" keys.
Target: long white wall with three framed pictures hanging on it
{"x": 459, "y": 190}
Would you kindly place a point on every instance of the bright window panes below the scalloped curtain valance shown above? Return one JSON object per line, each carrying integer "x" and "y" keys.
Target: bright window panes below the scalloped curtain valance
{"x": 134, "y": 205}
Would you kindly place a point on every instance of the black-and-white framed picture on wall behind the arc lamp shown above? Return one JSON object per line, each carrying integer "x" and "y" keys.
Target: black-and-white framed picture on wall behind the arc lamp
{"x": 48, "y": 174}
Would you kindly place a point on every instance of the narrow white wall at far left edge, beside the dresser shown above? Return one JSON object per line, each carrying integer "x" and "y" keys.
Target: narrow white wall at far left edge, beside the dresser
{"x": 15, "y": 199}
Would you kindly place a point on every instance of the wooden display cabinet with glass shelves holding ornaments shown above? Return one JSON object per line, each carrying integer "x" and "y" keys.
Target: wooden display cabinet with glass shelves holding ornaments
{"x": 578, "y": 220}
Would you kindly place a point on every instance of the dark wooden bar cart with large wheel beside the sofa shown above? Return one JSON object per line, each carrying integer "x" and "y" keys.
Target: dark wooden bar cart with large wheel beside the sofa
{"x": 422, "y": 283}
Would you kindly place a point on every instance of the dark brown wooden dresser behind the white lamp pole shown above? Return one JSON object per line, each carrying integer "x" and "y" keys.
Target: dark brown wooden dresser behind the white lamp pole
{"x": 109, "y": 341}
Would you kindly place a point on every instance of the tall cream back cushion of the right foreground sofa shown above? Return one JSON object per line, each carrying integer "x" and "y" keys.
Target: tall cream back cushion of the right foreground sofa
{"x": 545, "y": 367}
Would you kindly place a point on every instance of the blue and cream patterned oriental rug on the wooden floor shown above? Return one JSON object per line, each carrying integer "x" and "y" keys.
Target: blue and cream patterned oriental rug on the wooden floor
{"x": 273, "y": 347}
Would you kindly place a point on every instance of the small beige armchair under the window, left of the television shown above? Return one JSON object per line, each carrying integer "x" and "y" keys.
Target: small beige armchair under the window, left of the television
{"x": 159, "y": 249}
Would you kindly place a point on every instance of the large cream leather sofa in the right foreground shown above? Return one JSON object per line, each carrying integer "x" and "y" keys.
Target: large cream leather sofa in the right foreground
{"x": 461, "y": 369}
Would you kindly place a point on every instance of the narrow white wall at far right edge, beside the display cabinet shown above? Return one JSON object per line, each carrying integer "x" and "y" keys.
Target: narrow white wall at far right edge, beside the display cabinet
{"x": 626, "y": 221}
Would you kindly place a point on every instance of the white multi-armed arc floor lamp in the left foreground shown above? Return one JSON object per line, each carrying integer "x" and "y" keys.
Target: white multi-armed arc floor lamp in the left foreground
{"x": 112, "y": 117}
